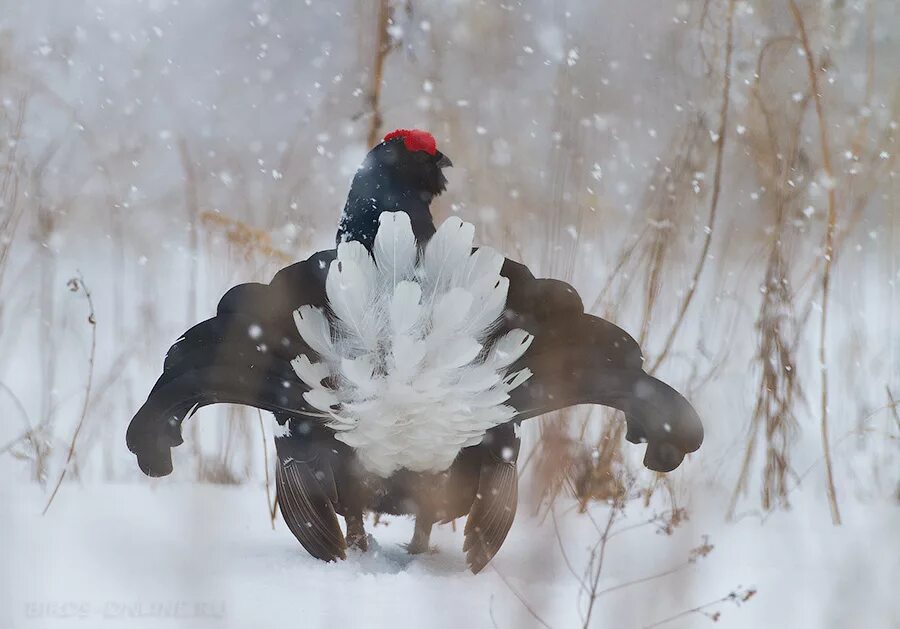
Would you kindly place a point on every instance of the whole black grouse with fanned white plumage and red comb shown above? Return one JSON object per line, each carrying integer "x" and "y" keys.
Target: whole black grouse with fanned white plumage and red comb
{"x": 399, "y": 367}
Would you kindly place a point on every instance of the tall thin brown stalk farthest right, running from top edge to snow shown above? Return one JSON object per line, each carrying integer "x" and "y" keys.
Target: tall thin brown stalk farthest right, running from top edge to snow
{"x": 829, "y": 253}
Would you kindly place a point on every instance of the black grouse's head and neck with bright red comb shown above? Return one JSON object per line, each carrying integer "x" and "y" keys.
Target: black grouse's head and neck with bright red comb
{"x": 403, "y": 173}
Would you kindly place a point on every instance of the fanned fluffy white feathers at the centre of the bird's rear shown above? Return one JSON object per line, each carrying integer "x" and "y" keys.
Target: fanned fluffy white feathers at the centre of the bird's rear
{"x": 403, "y": 374}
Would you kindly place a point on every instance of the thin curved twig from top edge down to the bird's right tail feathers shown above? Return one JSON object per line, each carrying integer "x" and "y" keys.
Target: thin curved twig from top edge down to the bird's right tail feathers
{"x": 714, "y": 202}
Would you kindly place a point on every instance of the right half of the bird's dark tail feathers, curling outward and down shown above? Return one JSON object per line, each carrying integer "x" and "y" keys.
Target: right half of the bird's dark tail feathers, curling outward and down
{"x": 577, "y": 358}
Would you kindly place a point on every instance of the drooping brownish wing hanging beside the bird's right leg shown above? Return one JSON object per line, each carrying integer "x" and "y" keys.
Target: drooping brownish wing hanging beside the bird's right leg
{"x": 495, "y": 503}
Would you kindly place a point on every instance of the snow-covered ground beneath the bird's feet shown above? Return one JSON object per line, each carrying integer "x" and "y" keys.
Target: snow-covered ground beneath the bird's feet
{"x": 184, "y": 555}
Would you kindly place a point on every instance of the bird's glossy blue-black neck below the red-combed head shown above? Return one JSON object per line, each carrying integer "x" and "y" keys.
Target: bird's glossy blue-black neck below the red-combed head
{"x": 373, "y": 193}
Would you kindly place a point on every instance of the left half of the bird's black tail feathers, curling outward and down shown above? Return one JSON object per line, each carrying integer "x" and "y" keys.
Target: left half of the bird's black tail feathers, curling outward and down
{"x": 240, "y": 356}
